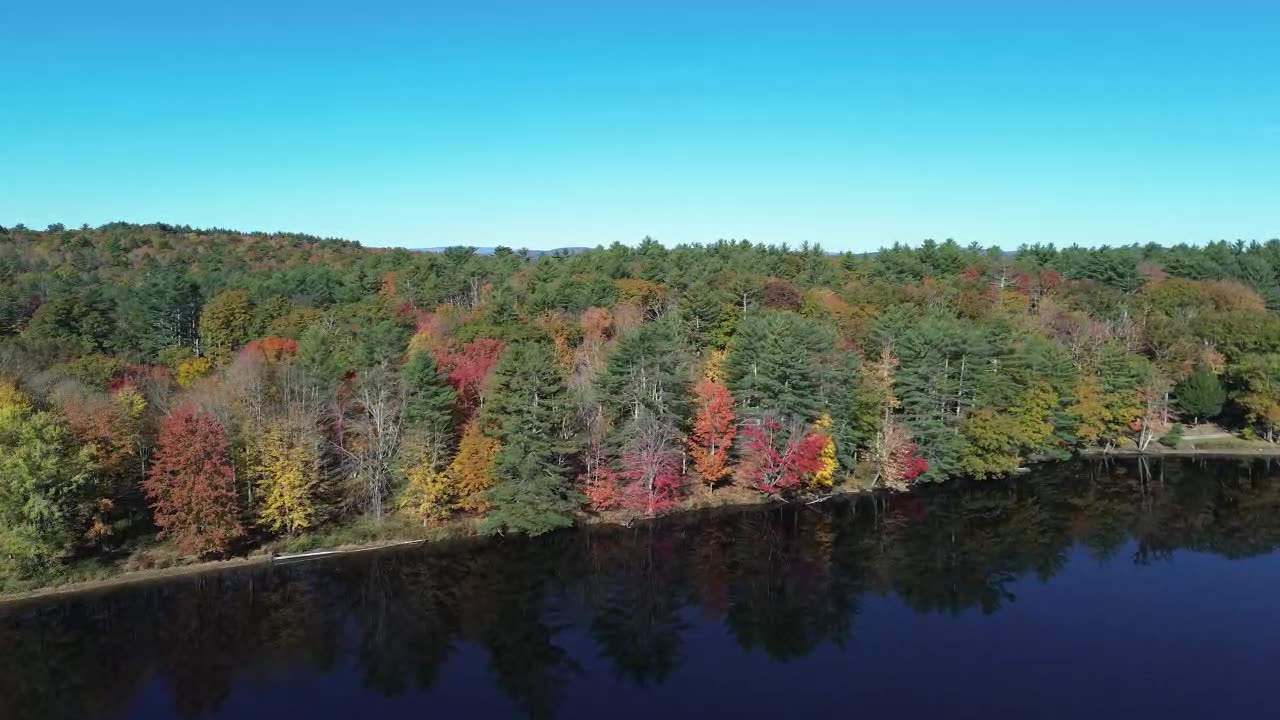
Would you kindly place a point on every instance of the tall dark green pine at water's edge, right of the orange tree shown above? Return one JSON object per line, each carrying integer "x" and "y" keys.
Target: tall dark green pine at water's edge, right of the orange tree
{"x": 532, "y": 494}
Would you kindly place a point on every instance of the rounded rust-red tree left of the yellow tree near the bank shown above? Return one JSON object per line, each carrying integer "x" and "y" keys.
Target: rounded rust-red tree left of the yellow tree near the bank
{"x": 191, "y": 486}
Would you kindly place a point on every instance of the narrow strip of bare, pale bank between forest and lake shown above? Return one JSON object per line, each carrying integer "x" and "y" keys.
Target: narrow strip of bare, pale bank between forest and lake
{"x": 454, "y": 534}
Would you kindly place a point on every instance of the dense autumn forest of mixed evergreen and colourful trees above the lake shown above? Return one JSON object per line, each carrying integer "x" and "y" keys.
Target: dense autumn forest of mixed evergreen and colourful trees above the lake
{"x": 213, "y": 391}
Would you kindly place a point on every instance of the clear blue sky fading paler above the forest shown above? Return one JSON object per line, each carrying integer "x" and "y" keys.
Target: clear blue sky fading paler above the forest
{"x": 548, "y": 125}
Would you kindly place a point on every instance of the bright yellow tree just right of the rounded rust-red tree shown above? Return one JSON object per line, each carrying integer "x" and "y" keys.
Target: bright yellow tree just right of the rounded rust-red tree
{"x": 287, "y": 470}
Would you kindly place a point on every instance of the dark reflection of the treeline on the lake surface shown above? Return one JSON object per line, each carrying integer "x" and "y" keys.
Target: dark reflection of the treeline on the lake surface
{"x": 632, "y": 605}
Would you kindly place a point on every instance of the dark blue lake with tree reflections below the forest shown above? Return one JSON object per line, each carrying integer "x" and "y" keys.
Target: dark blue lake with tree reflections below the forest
{"x": 1078, "y": 591}
